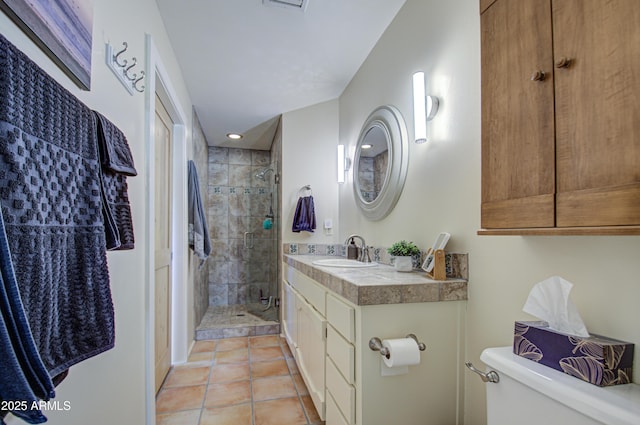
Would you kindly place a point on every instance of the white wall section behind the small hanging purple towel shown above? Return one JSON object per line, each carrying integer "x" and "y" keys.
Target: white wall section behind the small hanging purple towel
{"x": 309, "y": 157}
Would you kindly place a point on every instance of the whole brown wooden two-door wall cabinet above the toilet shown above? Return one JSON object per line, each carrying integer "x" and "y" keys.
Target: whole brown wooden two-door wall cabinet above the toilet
{"x": 560, "y": 117}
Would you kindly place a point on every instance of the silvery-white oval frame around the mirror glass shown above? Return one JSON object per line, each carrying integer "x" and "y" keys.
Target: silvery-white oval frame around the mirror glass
{"x": 390, "y": 120}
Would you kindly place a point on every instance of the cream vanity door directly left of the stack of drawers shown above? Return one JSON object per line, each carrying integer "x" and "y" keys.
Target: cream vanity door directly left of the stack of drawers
{"x": 311, "y": 352}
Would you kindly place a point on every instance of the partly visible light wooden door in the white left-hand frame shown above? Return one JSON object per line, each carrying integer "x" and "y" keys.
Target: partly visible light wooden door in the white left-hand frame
{"x": 162, "y": 282}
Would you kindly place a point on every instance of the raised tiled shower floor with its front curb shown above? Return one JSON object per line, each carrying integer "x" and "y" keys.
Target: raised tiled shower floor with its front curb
{"x": 237, "y": 321}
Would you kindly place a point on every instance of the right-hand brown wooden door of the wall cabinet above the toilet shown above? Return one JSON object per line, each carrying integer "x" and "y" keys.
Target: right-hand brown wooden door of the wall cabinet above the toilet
{"x": 597, "y": 112}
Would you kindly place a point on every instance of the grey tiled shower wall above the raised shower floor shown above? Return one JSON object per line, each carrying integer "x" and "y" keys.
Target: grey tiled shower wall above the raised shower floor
{"x": 243, "y": 263}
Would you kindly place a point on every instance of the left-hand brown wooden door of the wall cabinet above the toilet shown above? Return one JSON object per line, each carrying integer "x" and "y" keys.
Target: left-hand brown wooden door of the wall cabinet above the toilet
{"x": 518, "y": 164}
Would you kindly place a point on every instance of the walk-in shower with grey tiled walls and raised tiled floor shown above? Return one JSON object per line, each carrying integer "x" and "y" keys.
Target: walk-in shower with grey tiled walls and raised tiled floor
{"x": 243, "y": 204}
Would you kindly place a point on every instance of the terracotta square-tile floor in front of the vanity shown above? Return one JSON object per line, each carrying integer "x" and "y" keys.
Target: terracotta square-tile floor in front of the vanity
{"x": 236, "y": 381}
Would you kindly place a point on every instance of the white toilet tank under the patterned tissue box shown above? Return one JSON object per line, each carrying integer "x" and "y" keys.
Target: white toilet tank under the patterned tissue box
{"x": 529, "y": 393}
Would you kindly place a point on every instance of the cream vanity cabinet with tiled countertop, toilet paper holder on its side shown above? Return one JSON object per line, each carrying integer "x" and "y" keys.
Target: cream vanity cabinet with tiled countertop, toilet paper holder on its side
{"x": 329, "y": 335}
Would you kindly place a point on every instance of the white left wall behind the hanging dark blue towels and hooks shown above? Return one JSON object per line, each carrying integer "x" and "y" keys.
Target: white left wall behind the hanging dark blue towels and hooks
{"x": 111, "y": 387}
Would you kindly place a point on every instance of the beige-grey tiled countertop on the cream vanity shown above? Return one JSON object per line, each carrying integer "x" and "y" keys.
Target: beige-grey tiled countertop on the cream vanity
{"x": 379, "y": 285}
